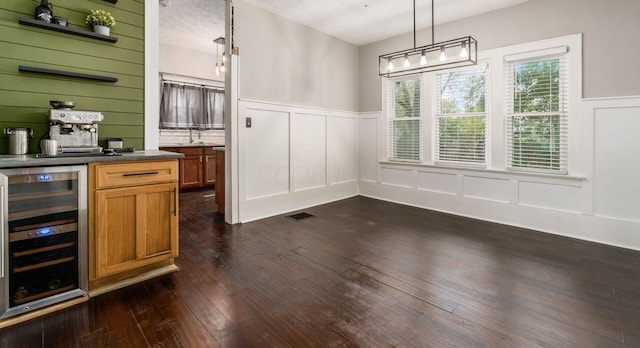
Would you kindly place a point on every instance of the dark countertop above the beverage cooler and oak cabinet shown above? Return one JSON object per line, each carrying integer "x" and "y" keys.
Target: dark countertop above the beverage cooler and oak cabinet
{"x": 30, "y": 160}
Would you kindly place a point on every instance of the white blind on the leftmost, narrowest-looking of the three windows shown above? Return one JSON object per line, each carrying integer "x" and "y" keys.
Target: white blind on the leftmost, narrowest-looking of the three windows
{"x": 405, "y": 119}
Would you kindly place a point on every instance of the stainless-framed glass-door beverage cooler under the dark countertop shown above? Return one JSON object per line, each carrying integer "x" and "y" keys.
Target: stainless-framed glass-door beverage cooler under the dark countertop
{"x": 44, "y": 237}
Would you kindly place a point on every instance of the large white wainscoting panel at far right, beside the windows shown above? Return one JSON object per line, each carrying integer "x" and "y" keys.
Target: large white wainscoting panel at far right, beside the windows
{"x": 617, "y": 163}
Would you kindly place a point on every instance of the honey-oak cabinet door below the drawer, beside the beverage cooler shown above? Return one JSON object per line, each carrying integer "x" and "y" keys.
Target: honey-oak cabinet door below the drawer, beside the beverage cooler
{"x": 135, "y": 227}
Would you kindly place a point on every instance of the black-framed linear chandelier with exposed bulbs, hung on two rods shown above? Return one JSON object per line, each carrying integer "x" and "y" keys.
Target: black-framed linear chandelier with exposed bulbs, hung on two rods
{"x": 436, "y": 56}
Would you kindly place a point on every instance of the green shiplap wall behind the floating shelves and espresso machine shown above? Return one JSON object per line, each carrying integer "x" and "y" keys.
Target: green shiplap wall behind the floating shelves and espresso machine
{"x": 24, "y": 97}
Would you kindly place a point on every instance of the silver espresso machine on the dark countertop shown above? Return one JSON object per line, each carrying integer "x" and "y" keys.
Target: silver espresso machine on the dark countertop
{"x": 76, "y": 131}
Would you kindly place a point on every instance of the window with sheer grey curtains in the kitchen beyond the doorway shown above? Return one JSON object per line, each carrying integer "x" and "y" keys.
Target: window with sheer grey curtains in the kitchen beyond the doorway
{"x": 185, "y": 106}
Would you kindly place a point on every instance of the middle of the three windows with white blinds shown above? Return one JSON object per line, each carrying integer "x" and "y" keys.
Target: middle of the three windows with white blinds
{"x": 461, "y": 116}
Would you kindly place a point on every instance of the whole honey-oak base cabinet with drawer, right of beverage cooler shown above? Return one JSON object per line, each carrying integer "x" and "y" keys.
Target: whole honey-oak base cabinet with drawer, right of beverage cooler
{"x": 133, "y": 217}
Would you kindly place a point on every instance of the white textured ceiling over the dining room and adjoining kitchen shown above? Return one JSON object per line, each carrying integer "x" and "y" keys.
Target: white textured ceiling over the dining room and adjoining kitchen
{"x": 196, "y": 23}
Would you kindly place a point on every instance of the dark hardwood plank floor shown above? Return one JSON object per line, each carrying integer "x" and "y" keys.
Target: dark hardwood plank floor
{"x": 361, "y": 272}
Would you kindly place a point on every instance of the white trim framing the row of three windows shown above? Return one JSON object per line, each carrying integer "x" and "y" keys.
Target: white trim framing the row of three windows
{"x": 496, "y": 156}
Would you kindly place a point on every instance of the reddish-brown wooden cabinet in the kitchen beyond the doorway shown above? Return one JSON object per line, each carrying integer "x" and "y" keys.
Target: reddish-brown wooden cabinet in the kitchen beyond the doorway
{"x": 197, "y": 168}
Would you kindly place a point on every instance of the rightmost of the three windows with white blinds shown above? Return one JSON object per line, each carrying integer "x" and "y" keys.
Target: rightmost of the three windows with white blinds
{"x": 537, "y": 116}
